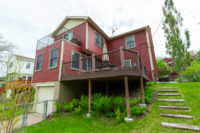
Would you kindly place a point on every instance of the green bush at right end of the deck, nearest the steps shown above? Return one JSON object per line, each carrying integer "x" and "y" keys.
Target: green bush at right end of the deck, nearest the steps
{"x": 148, "y": 94}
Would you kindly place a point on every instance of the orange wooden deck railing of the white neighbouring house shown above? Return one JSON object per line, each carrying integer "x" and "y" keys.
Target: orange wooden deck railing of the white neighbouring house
{"x": 18, "y": 84}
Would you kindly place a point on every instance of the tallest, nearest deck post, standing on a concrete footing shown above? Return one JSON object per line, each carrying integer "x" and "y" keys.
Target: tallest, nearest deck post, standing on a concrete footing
{"x": 127, "y": 119}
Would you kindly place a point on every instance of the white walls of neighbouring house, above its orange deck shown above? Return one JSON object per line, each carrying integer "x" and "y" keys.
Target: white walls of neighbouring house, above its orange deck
{"x": 20, "y": 67}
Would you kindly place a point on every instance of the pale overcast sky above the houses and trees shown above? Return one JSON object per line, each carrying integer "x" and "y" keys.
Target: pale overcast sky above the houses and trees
{"x": 23, "y": 22}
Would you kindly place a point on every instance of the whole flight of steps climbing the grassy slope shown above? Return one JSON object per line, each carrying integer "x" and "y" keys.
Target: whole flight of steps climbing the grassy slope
{"x": 174, "y": 108}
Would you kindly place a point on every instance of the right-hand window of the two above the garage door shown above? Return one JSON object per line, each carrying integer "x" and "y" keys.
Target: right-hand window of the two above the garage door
{"x": 54, "y": 58}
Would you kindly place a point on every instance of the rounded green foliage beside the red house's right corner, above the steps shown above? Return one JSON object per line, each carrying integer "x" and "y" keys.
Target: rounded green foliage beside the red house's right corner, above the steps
{"x": 163, "y": 69}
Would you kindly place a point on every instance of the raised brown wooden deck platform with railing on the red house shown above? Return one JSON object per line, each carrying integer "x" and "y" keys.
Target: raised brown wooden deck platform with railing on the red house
{"x": 107, "y": 65}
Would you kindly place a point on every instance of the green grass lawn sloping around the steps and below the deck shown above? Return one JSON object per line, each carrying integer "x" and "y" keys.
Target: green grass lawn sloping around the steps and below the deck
{"x": 149, "y": 124}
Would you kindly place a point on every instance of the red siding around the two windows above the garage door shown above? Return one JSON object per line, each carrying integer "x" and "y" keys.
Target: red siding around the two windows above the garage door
{"x": 46, "y": 74}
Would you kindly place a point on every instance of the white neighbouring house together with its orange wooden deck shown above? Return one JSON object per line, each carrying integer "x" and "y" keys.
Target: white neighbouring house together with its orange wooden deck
{"x": 19, "y": 73}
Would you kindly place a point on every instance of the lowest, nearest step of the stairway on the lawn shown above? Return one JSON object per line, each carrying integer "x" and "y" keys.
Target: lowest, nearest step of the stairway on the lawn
{"x": 180, "y": 126}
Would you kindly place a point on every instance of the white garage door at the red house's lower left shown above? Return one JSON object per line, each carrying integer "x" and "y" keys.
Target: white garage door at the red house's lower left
{"x": 45, "y": 93}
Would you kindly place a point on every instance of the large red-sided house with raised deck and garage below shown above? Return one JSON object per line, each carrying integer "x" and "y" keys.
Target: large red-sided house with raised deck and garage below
{"x": 79, "y": 57}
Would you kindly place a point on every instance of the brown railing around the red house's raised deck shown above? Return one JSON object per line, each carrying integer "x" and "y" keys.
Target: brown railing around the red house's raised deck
{"x": 117, "y": 59}
